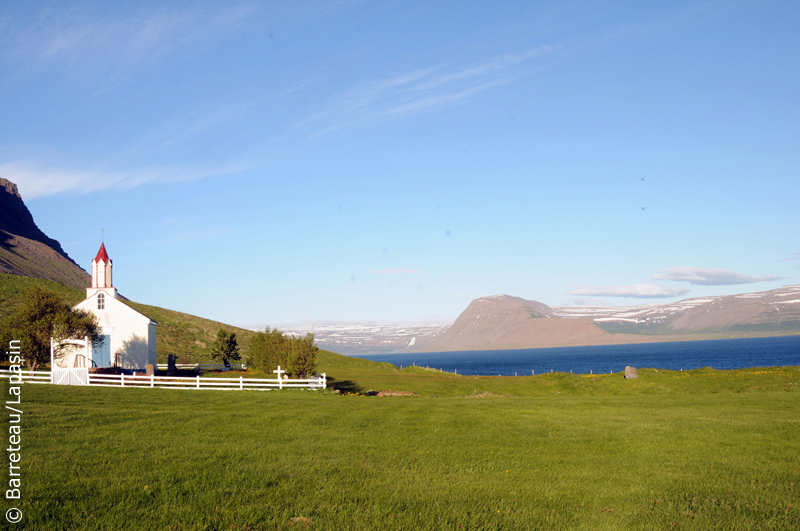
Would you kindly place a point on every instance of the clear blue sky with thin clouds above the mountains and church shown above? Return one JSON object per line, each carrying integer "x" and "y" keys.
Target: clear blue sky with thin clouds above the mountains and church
{"x": 273, "y": 162}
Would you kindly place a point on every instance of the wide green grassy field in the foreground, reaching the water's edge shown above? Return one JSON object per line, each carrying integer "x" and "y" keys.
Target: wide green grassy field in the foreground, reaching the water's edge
{"x": 672, "y": 450}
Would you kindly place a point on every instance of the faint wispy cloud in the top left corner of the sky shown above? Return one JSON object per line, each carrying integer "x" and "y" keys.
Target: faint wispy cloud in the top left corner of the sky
{"x": 84, "y": 42}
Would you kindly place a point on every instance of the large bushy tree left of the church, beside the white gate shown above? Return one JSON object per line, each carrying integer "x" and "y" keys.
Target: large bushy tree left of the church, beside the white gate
{"x": 41, "y": 315}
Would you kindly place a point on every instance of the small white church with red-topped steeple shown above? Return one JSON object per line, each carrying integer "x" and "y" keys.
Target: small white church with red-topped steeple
{"x": 128, "y": 336}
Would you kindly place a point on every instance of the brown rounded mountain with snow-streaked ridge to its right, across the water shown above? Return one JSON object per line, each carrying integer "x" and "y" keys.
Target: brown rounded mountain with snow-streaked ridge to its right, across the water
{"x": 505, "y": 322}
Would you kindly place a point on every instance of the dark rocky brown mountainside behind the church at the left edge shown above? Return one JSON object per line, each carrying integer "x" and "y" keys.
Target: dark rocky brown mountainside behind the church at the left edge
{"x": 27, "y": 251}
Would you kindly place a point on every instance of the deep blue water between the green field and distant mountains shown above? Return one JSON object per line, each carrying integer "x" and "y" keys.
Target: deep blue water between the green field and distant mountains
{"x": 719, "y": 354}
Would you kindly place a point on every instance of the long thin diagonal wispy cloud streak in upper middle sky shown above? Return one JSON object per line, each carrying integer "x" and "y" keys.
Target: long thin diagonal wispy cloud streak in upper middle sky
{"x": 424, "y": 89}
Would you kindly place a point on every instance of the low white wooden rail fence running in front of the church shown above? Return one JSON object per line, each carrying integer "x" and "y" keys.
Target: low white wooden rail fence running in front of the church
{"x": 167, "y": 382}
